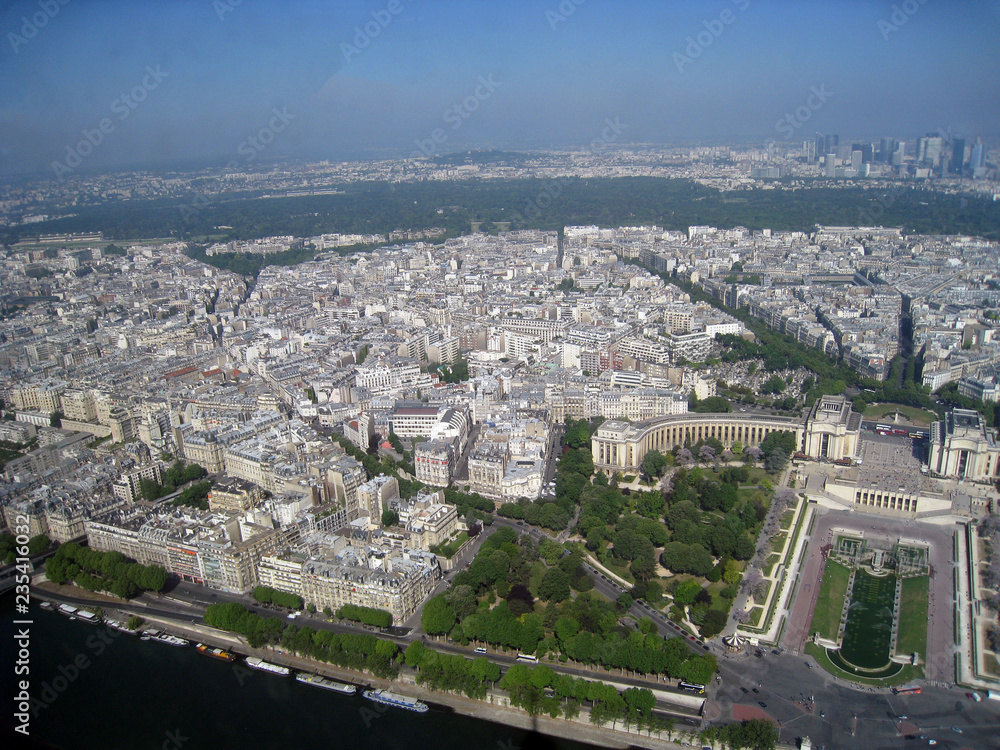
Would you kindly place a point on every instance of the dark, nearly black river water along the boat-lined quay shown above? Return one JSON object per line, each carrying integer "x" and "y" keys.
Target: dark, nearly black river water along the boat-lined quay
{"x": 109, "y": 690}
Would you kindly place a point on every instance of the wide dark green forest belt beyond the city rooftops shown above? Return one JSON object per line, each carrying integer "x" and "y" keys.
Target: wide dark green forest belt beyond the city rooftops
{"x": 530, "y": 203}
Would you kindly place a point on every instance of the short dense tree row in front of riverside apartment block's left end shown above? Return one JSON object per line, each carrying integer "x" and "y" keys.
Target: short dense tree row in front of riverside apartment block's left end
{"x": 103, "y": 571}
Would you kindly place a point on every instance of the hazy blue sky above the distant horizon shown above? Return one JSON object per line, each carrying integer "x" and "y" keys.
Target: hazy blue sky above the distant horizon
{"x": 552, "y": 77}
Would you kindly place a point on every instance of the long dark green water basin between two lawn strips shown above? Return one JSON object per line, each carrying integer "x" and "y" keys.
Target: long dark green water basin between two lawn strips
{"x": 868, "y": 631}
